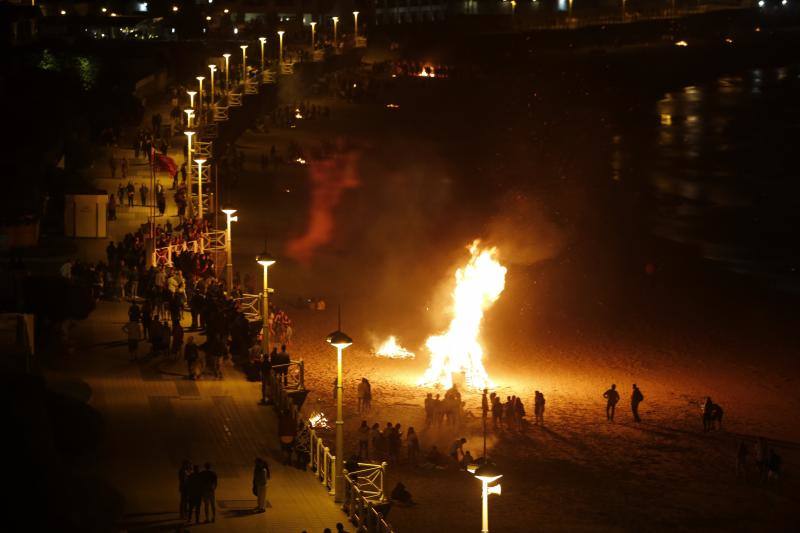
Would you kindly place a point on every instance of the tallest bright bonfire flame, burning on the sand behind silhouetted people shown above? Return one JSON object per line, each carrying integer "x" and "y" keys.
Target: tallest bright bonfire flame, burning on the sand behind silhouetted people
{"x": 478, "y": 285}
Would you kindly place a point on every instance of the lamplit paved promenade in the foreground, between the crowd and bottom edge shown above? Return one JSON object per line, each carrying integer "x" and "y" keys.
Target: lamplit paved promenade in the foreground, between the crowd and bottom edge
{"x": 155, "y": 418}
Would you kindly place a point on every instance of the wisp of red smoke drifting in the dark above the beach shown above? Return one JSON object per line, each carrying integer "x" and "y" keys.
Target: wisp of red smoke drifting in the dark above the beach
{"x": 329, "y": 178}
